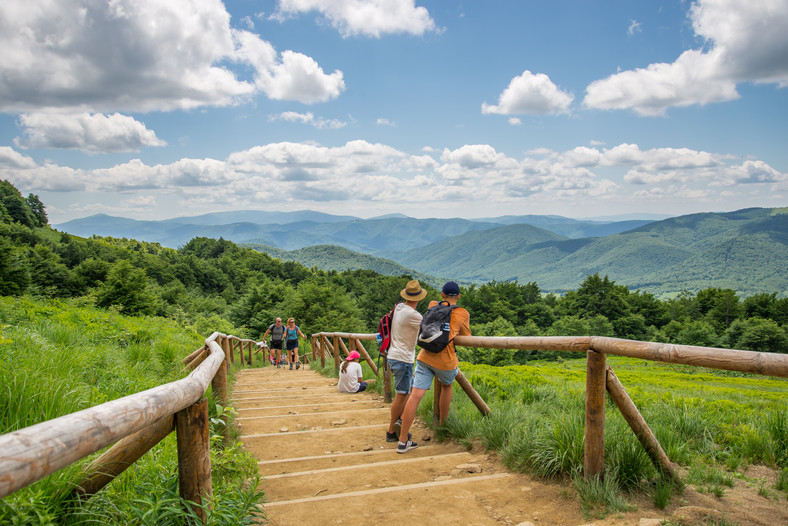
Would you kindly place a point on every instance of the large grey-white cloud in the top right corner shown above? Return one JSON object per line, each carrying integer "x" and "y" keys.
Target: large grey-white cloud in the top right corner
{"x": 745, "y": 41}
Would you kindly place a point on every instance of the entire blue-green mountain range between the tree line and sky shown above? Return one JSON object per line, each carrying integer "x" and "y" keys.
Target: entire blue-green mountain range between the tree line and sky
{"x": 746, "y": 250}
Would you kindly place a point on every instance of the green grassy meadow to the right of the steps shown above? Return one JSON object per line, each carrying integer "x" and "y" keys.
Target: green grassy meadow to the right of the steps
{"x": 712, "y": 423}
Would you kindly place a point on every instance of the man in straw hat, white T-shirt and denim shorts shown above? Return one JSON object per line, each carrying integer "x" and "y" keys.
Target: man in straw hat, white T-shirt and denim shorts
{"x": 405, "y": 324}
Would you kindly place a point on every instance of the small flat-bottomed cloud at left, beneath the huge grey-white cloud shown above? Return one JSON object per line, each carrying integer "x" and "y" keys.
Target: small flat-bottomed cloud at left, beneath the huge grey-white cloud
{"x": 91, "y": 133}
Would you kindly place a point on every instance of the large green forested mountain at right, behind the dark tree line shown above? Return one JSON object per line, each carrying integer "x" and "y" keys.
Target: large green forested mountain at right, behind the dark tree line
{"x": 745, "y": 250}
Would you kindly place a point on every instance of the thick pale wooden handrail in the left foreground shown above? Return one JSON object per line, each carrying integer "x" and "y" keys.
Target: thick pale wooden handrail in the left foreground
{"x": 32, "y": 453}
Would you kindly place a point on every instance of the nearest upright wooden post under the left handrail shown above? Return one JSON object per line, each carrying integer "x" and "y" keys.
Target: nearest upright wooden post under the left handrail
{"x": 194, "y": 457}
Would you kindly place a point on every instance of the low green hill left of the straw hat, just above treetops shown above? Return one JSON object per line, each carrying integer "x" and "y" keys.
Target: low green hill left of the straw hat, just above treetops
{"x": 331, "y": 257}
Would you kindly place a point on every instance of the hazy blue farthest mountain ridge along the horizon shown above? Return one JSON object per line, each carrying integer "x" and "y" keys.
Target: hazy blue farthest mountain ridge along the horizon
{"x": 293, "y": 230}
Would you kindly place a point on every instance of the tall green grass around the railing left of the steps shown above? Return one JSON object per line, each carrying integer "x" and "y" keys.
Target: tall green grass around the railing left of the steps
{"x": 58, "y": 357}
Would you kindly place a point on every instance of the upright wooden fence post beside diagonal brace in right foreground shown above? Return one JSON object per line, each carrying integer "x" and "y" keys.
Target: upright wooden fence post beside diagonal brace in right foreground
{"x": 594, "y": 455}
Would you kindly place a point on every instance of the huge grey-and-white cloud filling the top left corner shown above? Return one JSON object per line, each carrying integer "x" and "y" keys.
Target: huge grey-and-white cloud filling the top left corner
{"x": 98, "y": 56}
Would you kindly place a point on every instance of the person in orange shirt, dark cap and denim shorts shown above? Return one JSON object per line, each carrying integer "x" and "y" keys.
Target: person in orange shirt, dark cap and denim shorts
{"x": 443, "y": 365}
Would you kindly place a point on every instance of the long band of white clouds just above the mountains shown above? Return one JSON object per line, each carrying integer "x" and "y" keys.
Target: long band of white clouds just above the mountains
{"x": 471, "y": 175}
